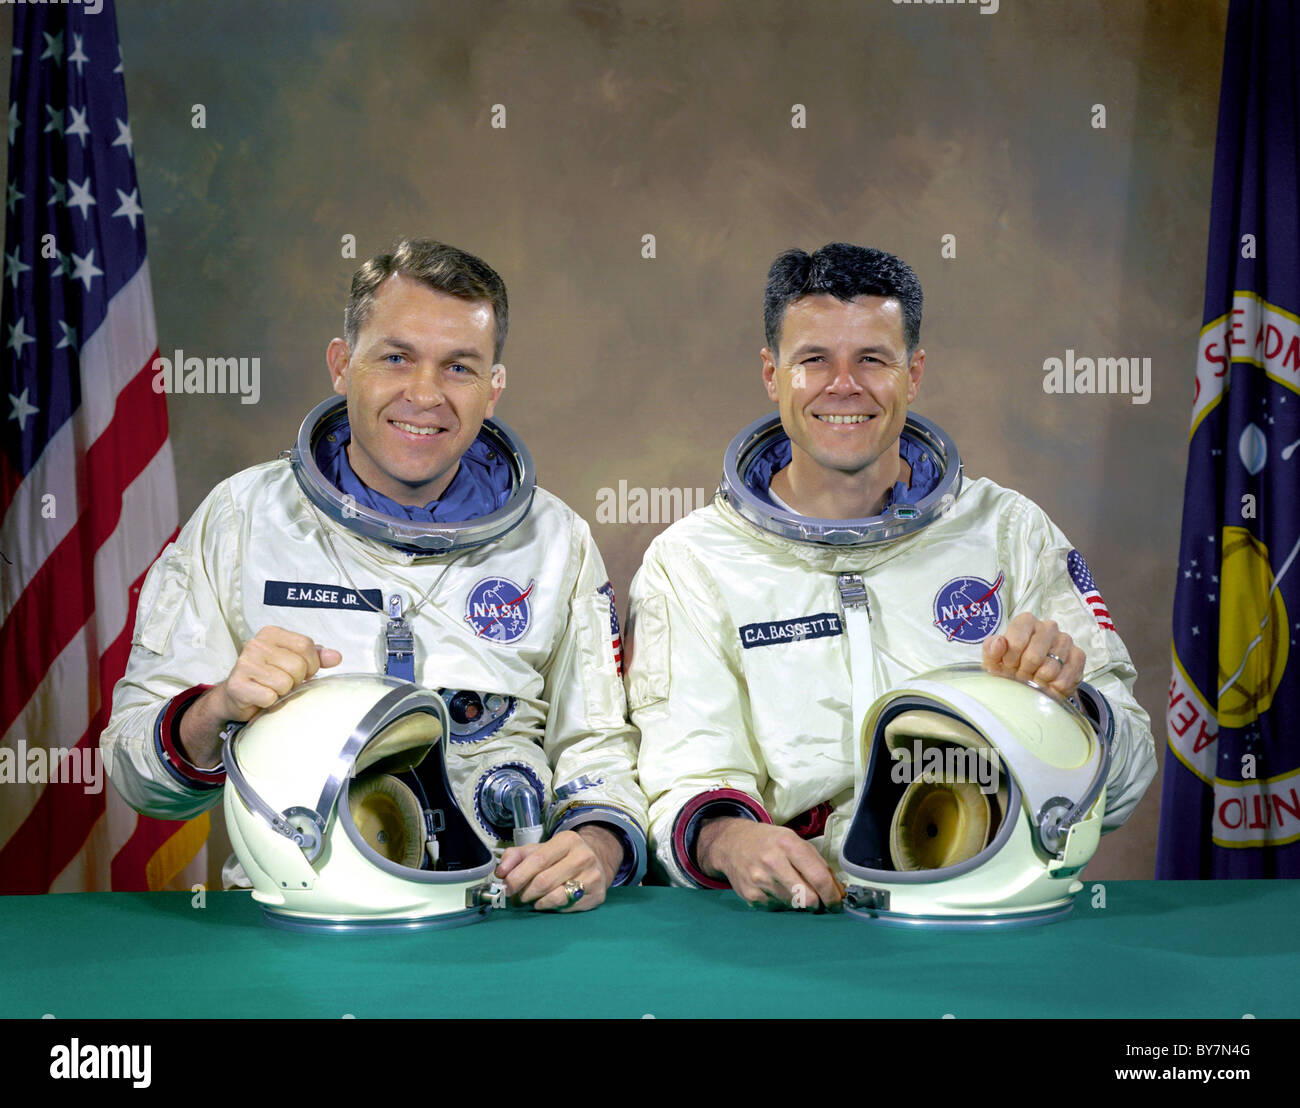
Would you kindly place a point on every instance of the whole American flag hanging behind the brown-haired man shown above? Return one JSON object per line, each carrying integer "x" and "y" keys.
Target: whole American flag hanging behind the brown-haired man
{"x": 86, "y": 479}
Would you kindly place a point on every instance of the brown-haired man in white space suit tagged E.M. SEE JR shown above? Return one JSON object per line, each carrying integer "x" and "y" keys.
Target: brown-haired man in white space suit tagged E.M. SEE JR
{"x": 405, "y": 535}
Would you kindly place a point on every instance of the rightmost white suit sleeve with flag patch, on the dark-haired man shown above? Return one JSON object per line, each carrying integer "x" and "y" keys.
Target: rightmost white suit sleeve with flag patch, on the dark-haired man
{"x": 1055, "y": 574}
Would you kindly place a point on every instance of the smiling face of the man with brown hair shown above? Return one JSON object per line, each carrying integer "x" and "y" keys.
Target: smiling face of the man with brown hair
{"x": 419, "y": 386}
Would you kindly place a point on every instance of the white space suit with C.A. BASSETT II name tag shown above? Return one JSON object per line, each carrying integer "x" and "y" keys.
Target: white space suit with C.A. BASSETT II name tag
{"x": 740, "y": 677}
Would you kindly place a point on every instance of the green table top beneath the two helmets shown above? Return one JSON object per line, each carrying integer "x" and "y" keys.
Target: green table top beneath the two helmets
{"x": 1159, "y": 950}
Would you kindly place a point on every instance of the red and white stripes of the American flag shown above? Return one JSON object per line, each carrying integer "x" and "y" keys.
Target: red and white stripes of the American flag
{"x": 70, "y": 607}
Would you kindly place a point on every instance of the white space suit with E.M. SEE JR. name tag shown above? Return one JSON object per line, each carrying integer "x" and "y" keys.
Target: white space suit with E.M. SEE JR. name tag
{"x": 523, "y": 624}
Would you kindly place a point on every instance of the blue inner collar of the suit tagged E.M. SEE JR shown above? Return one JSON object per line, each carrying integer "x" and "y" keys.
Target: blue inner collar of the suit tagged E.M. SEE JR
{"x": 483, "y": 483}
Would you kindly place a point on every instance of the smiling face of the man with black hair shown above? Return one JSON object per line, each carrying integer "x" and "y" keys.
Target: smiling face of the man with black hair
{"x": 843, "y": 382}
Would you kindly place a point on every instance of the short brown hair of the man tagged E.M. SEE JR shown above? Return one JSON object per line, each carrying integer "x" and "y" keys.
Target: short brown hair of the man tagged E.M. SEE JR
{"x": 437, "y": 266}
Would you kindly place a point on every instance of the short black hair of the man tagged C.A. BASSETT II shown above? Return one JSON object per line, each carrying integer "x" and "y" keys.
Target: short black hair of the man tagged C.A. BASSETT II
{"x": 843, "y": 271}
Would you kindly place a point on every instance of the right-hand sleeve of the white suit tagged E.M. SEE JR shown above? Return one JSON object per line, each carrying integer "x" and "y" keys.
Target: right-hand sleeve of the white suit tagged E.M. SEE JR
{"x": 590, "y": 742}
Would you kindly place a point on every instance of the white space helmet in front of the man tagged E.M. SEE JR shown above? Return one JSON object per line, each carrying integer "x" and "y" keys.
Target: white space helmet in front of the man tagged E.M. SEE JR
{"x": 328, "y": 833}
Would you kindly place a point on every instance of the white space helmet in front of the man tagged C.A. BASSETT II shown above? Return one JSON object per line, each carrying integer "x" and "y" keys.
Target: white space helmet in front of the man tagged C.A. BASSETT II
{"x": 981, "y": 802}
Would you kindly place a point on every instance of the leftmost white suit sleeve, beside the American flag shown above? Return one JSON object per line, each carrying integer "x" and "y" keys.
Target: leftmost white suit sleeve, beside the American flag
{"x": 183, "y": 644}
